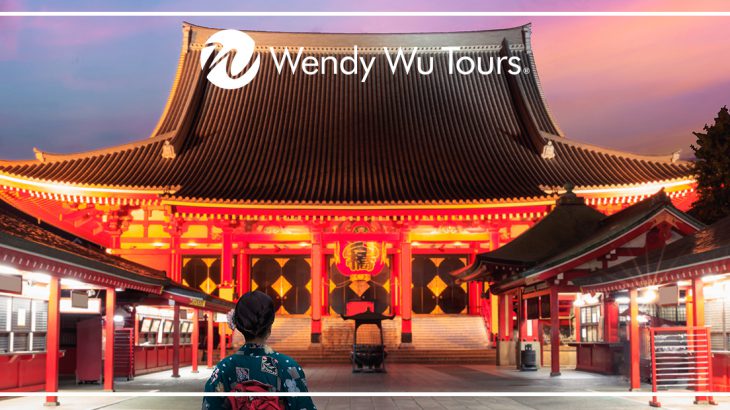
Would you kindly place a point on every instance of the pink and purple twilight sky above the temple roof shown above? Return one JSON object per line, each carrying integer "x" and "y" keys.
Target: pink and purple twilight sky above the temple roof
{"x": 640, "y": 84}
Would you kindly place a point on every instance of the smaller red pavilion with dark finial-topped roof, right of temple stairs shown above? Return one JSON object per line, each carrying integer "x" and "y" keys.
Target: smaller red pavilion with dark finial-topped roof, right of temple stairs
{"x": 535, "y": 279}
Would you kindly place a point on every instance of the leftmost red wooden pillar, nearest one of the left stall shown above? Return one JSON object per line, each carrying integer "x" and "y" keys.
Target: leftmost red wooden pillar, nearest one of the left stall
{"x": 52, "y": 340}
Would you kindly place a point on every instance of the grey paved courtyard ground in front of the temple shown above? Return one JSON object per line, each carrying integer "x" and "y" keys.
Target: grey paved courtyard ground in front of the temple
{"x": 400, "y": 378}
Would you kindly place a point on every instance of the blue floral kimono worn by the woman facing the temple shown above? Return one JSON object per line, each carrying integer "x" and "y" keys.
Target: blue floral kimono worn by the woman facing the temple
{"x": 253, "y": 363}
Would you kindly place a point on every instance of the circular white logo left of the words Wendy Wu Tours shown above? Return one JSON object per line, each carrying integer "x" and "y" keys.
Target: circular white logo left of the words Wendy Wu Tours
{"x": 235, "y": 44}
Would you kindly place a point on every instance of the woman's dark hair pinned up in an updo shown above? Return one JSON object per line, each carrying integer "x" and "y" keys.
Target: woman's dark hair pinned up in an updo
{"x": 254, "y": 315}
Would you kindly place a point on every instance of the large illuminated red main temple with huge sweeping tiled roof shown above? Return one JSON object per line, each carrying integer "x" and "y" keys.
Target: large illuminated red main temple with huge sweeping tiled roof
{"x": 321, "y": 190}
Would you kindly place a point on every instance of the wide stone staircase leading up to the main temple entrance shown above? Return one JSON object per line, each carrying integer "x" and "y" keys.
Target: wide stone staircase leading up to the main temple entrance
{"x": 436, "y": 339}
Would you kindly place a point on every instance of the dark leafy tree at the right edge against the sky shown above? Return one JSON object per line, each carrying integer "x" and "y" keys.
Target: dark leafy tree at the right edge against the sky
{"x": 712, "y": 168}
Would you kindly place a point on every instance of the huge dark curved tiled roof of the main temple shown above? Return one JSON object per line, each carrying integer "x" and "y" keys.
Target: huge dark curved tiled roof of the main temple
{"x": 332, "y": 139}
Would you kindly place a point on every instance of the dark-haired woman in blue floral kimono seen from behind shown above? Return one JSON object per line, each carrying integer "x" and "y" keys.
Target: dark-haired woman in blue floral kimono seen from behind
{"x": 255, "y": 367}
